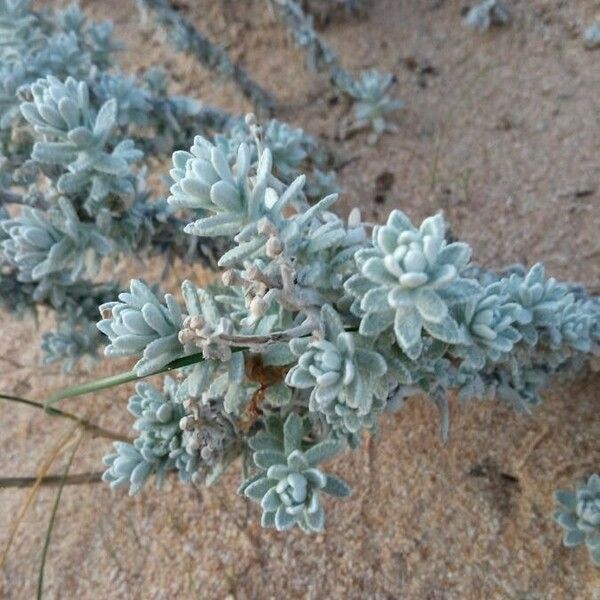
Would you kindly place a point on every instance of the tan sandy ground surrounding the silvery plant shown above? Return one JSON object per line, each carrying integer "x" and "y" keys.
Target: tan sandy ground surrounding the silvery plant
{"x": 501, "y": 132}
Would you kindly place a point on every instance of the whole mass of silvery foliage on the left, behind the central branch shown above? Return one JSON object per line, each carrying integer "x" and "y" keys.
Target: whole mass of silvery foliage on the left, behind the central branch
{"x": 67, "y": 131}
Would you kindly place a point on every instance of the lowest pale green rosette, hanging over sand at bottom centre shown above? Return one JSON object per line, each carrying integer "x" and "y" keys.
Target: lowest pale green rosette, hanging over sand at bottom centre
{"x": 288, "y": 485}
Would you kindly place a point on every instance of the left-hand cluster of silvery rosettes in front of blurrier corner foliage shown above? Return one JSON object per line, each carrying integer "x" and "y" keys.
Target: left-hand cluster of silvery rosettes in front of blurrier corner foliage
{"x": 93, "y": 206}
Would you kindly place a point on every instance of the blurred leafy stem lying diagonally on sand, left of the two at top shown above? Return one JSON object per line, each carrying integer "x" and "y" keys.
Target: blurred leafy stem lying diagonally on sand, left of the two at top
{"x": 187, "y": 38}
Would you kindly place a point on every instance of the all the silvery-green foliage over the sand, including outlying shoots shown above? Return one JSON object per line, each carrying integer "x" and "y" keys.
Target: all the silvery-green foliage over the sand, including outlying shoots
{"x": 316, "y": 328}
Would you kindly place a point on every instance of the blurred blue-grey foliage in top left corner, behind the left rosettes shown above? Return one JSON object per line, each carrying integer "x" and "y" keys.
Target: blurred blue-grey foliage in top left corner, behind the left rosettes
{"x": 64, "y": 43}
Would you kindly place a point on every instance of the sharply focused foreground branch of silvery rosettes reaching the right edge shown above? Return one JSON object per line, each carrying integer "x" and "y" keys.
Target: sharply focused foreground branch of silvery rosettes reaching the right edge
{"x": 317, "y": 328}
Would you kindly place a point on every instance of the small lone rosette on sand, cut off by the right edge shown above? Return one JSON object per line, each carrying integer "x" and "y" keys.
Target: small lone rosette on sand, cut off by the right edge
{"x": 579, "y": 515}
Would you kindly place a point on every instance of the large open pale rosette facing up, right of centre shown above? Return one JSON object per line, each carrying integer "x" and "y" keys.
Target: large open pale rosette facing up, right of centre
{"x": 407, "y": 280}
